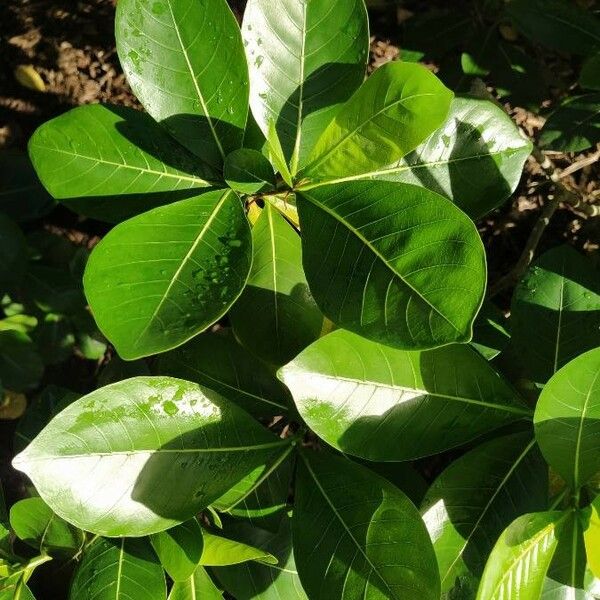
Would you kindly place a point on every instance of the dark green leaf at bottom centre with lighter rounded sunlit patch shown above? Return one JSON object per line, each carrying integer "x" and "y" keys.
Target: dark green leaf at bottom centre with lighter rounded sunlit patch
{"x": 356, "y": 536}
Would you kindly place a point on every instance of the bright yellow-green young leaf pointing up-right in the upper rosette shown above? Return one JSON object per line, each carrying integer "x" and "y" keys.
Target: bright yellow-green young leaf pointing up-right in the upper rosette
{"x": 393, "y": 111}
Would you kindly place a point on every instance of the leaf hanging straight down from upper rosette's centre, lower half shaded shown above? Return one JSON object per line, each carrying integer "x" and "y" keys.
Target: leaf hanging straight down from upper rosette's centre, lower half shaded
{"x": 276, "y": 316}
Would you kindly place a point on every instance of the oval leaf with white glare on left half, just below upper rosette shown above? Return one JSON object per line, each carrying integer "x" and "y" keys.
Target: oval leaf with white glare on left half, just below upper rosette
{"x": 362, "y": 397}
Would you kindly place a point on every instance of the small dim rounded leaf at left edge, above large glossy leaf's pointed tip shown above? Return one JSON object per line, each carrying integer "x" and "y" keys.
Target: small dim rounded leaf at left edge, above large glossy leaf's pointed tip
{"x": 21, "y": 367}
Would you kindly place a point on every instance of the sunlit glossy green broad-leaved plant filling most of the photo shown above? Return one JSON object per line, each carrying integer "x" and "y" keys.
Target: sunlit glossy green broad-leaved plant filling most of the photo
{"x": 325, "y": 221}
